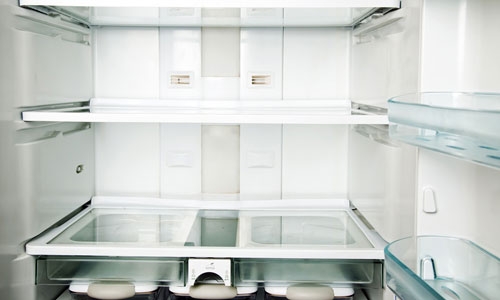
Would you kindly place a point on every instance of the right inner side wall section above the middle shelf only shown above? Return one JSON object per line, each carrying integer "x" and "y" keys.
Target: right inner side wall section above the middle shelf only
{"x": 385, "y": 58}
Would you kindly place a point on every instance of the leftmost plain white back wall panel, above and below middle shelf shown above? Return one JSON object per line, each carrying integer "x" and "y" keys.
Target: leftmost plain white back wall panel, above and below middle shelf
{"x": 127, "y": 155}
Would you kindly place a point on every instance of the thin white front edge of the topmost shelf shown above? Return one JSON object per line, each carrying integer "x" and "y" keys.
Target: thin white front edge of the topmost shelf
{"x": 218, "y": 3}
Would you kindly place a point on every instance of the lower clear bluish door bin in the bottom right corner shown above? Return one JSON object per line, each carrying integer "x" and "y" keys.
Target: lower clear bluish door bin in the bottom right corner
{"x": 432, "y": 267}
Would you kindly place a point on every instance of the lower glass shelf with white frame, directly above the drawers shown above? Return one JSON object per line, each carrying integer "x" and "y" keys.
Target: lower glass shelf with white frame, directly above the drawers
{"x": 242, "y": 229}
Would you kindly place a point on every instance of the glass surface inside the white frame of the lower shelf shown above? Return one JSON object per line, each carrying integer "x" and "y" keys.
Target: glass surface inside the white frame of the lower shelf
{"x": 215, "y": 228}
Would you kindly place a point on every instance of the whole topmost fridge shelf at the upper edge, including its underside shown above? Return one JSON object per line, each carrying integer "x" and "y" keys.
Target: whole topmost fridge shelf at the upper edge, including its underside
{"x": 214, "y": 12}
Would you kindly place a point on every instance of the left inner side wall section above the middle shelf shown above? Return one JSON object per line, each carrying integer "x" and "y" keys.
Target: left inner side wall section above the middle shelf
{"x": 47, "y": 62}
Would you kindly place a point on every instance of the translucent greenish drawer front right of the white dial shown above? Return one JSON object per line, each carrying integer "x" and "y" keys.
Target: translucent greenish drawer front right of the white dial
{"x": 287, "y": 272}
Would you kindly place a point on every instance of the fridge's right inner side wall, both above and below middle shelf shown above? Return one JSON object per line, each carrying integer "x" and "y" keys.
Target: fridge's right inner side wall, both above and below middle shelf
{"x": 384, "y": 63}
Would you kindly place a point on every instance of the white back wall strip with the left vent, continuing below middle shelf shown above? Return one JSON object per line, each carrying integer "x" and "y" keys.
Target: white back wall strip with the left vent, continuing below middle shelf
{"x": 180, "y": 144}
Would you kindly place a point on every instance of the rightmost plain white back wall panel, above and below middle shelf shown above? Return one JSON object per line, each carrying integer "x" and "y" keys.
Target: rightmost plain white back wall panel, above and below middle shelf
{"x": 315, "y": 66}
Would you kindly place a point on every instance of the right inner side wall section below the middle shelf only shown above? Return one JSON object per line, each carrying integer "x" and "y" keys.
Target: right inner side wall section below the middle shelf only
{"x": 382, "y": 185}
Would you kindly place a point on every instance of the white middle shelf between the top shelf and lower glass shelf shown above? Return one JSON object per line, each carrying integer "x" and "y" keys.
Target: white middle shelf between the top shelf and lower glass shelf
{"x": 213, "y": 112}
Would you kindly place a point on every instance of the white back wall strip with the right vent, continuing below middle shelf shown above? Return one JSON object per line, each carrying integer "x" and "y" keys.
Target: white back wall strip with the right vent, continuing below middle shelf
{"x": 260, "y": 145}
